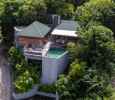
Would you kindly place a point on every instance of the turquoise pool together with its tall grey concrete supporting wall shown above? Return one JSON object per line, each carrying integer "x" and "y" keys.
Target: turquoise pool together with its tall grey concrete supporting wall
{"x": 53, "y": 64}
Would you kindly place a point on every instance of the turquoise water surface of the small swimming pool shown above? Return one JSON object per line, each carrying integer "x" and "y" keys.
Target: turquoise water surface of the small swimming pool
{"x": 55, "y": 52}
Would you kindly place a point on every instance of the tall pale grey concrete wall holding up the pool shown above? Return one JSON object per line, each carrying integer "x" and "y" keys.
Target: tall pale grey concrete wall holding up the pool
{"x": 52, "y": 67}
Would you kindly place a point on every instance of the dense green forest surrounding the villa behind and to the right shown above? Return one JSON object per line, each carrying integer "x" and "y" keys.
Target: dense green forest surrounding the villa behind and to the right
{"x": 92, "y": 58}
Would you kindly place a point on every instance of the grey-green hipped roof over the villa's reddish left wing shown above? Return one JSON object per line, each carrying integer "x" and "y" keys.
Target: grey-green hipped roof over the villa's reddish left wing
{"x": 36, "y": 29}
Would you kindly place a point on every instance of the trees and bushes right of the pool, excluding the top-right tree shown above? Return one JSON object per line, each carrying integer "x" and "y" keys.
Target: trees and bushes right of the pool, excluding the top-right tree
{"x": 89, "y": 76}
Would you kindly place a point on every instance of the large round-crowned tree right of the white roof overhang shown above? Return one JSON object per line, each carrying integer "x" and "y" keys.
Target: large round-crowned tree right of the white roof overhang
{"x": 100, "y": 51}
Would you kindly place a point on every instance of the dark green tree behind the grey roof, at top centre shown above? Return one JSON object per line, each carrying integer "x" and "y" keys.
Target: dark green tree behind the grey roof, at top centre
{"x": 64, "y": 8}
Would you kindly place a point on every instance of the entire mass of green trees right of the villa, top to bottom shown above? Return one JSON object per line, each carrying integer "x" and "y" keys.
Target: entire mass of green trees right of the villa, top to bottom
{"x": 89, "y": 76}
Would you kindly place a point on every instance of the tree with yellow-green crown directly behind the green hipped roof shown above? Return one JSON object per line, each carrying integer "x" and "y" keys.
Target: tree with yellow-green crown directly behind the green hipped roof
{"x": 31, "y": 10}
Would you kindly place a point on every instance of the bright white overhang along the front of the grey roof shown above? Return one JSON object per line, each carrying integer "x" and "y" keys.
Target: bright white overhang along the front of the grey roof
{"x": 67, "y": 33}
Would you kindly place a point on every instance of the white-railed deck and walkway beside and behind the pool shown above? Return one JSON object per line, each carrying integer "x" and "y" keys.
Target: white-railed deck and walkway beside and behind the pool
{"x": 38, "y": 53}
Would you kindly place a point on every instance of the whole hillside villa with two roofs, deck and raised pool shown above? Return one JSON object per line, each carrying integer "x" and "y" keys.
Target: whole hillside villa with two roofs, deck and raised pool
{"x": 40, "y": 42}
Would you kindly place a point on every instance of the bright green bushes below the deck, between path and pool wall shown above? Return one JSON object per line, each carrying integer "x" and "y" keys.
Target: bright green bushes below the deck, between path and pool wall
{"x": 24, "y": 75}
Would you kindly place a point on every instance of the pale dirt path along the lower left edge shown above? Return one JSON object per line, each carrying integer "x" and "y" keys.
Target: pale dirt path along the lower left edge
{"x": 5, "y": 79}
